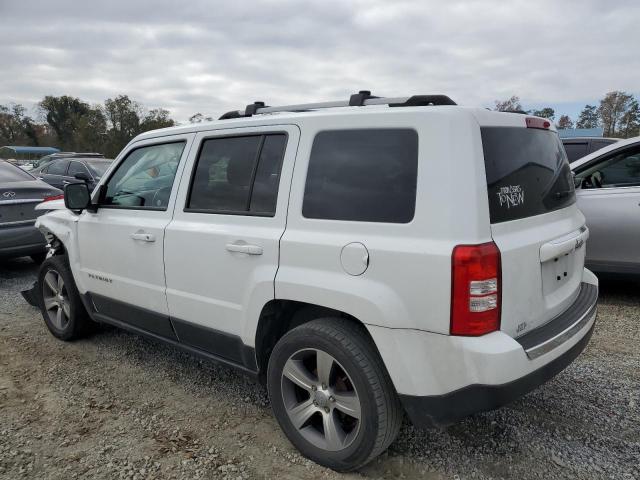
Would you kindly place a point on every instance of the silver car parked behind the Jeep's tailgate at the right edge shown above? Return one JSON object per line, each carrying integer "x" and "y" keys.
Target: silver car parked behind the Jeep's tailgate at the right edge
{"x": 608, "y": 193}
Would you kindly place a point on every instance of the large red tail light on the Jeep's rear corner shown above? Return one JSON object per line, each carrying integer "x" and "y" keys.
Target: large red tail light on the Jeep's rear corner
{"x": 475, "y": 289}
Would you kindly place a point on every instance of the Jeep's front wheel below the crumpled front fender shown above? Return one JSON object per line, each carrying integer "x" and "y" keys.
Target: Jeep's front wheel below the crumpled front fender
{"x": 60, "y": 303}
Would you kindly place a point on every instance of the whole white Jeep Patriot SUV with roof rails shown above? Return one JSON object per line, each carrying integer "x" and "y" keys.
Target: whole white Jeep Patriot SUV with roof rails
{"x": 364, "y": 259}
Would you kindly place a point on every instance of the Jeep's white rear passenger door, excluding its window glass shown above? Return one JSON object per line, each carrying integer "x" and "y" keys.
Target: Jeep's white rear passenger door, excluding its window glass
{"x": 200, "y": 289}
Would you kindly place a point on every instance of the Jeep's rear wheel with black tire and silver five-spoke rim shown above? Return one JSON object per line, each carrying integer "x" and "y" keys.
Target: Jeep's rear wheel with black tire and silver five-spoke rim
{"x": 332, "y": 395}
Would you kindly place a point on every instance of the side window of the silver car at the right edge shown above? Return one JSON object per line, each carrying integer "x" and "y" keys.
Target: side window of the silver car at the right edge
{"x": 617, "y": 170}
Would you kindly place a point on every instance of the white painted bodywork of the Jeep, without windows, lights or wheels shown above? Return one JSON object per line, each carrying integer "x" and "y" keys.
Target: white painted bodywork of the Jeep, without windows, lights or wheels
{"x": 404, "y": 295}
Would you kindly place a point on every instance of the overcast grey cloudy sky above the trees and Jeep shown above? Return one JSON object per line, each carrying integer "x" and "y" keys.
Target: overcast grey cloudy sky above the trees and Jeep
{"x": 212, "y": 56}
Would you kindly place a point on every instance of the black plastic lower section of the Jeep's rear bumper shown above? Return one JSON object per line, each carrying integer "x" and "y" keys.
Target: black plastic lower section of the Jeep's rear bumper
{"x": 446, "y": 409}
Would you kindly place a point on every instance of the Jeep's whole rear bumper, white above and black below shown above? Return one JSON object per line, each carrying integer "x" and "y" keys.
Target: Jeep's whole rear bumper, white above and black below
{"x": 443, "y": 378}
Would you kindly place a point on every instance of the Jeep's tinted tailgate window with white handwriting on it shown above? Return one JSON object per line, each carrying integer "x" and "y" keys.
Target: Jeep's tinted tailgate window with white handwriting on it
{"x": 527, "y": 172}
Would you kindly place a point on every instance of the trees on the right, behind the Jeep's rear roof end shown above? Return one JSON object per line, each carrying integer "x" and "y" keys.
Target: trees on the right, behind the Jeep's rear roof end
{"x": 618, "y": 113}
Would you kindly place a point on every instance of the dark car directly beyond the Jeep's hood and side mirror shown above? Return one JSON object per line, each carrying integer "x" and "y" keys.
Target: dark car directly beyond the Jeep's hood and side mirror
{"x": 62, "y": 171}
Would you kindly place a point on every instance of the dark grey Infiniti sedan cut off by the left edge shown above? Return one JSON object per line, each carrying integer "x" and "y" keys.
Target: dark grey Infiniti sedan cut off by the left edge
{"x": 20, "y": 192}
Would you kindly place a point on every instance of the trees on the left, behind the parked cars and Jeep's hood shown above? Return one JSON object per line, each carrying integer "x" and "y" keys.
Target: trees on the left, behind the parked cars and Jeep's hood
{"x": 72, "y": 124}
